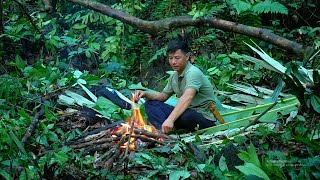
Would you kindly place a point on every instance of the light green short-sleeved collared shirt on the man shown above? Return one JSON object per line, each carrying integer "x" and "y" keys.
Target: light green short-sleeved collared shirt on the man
{"x": 192, "y": 77}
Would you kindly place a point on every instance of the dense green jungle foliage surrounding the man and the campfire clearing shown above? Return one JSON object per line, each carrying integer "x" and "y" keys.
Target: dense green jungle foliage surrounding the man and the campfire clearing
{"x": 49, "y": 46}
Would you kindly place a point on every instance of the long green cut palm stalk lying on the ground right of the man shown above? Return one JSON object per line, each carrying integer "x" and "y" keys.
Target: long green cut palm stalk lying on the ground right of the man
{"x": 245, "y": 121}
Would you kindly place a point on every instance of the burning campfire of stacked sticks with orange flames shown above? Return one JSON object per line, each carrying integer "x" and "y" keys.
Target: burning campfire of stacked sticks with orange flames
{"x": 112, "y": 146}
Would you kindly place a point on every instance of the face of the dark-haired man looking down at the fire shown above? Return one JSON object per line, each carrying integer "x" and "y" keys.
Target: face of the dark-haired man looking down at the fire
{"x": 178, "y": 60}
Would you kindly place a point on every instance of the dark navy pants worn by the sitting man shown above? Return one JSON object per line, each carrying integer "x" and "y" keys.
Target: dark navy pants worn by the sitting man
{"x": 158, "y": 112}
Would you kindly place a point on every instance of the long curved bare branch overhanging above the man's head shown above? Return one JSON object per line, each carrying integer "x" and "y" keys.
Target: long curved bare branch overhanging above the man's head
{"x": 154, "y": 27}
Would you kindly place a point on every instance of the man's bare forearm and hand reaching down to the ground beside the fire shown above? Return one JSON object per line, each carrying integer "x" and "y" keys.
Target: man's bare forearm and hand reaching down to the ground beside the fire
{"x": 182, "y": 105}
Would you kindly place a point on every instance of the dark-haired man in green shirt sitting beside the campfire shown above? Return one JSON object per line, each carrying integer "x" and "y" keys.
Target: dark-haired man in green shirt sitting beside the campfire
{"x": 191, "y": 86}
